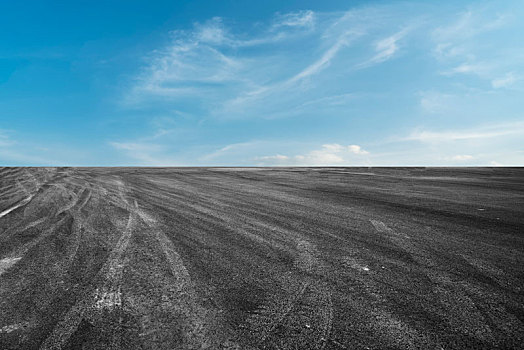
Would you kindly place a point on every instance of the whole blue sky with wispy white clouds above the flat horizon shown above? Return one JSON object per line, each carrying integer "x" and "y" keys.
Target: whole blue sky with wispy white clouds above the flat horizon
{"x": 266, "y": 83}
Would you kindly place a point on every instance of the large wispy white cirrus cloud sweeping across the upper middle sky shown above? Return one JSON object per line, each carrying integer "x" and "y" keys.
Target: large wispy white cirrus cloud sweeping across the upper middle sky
{"x": 264, "y": 72}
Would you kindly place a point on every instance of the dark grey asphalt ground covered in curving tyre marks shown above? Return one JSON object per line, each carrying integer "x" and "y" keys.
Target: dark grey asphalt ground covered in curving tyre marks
{"x": 282, "y": 258}
